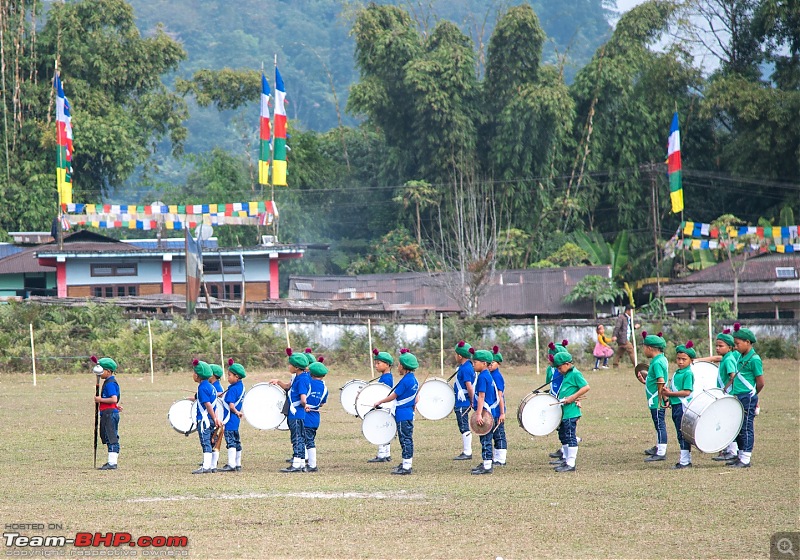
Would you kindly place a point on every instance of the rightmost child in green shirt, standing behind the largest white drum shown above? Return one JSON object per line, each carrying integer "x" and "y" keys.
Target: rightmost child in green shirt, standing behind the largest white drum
{"x": 748, "y": 381}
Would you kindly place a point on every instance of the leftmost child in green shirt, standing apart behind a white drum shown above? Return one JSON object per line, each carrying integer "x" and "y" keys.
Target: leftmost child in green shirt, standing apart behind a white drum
{"x": 573, "y": 387}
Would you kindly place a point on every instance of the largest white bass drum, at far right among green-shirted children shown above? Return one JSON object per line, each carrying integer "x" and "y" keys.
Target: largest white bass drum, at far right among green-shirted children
{"x": 712, "y": 420}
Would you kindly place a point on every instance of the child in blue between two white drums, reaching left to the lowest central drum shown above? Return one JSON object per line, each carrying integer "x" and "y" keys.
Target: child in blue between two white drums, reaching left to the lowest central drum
{"x": 406, "y": 394}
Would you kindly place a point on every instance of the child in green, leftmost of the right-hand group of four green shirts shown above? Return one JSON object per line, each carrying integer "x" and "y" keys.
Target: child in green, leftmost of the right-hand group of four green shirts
{"x": 656, "y": 380}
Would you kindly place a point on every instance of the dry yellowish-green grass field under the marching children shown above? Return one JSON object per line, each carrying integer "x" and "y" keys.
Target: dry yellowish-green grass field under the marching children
{"x": 614, "y": 506}
